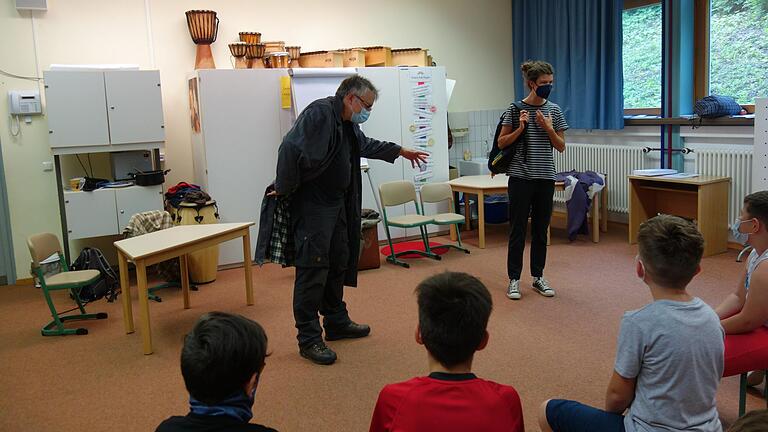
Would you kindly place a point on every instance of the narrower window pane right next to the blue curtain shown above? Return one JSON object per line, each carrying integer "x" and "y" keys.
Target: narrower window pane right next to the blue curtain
{"x": 641, "y": 45}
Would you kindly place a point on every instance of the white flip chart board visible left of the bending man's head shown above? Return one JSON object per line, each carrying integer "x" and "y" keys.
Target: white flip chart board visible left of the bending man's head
{"x": 310, "y": 84}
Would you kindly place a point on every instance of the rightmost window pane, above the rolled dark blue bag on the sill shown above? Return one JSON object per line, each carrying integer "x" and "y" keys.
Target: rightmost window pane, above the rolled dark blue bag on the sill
{"x": 738, "y": 49}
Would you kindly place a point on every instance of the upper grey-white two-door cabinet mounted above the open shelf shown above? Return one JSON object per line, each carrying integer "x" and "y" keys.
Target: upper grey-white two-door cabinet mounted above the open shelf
{"x": 96, "y": 111}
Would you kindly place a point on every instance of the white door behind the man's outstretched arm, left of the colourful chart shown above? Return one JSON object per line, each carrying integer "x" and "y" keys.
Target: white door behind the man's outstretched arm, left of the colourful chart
{"x": 384, "y": 125}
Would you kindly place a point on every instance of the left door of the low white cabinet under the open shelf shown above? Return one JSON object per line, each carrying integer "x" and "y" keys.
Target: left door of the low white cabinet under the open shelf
{"x": 90, "y": 214}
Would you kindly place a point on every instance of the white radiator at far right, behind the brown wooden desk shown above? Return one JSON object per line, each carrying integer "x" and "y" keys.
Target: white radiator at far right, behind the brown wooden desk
{"x": 733, "y": 163}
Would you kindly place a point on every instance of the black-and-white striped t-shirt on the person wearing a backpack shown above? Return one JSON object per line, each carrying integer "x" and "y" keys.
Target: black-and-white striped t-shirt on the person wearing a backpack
{"x": 535, "y": 162}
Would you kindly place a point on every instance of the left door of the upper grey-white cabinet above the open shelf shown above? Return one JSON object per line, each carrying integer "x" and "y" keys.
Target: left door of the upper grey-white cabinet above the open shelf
{"x": 76, "y": 108}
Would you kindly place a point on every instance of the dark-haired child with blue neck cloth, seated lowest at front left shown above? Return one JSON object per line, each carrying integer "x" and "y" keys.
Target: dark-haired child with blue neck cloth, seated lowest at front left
{"x": 221, "y": 361}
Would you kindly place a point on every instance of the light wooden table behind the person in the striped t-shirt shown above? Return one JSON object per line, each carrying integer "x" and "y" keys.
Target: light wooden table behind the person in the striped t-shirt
{"x": 482, "y": 185}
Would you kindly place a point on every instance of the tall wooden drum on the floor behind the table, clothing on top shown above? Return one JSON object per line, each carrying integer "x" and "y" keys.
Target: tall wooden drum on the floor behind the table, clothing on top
{"x": 202, "y": 264}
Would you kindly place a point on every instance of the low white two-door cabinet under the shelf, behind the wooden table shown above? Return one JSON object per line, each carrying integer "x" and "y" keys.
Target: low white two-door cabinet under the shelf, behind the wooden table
{"x": 107, "y": 211}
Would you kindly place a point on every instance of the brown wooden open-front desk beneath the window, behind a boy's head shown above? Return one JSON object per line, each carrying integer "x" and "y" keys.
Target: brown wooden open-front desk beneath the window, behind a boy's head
{"x": 703, "y": 199}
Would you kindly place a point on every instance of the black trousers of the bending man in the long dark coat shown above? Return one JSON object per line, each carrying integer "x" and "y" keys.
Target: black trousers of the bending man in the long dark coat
{"x": 322, "y": 255}
